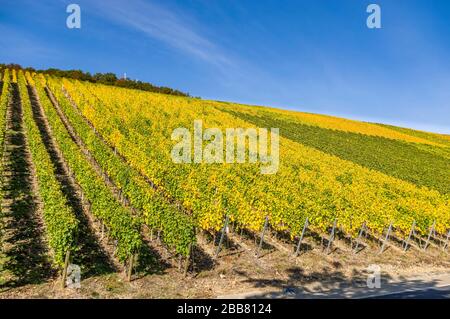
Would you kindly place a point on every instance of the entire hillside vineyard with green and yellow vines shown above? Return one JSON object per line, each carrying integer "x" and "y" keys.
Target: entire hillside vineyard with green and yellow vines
{"x": 99, "y": 162}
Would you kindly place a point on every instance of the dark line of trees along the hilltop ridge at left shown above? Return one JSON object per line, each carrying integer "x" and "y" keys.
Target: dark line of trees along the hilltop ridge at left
{"x": 103, "y": 78}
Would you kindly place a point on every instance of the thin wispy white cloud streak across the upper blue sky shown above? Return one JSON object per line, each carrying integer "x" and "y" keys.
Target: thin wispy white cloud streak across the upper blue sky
{"x": 159, "y": 22}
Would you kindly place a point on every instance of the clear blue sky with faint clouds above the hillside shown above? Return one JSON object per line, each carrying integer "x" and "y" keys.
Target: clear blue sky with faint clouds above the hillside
{"x": 308, "y": 55}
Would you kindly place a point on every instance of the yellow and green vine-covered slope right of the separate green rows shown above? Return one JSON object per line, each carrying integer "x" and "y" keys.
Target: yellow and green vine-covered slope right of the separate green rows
{"x": 330, "y": 168}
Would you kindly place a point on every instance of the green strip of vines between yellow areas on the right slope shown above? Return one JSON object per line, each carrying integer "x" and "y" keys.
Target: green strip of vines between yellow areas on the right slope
{"x": 392, "y": 157}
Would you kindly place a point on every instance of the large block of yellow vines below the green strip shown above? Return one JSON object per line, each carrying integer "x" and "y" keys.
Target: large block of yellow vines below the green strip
{"x": 309, "y": 183}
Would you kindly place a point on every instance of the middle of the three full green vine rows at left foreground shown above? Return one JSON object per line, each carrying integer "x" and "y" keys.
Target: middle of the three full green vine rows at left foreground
{"x": 122, "y": 226}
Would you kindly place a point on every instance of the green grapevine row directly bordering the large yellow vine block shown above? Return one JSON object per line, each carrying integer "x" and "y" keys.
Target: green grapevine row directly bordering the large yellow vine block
{"x": 177, "y": 228}
